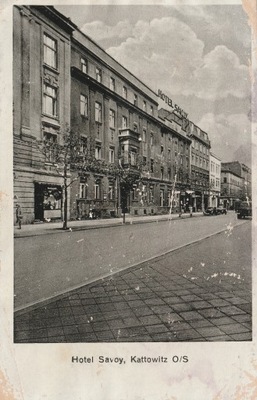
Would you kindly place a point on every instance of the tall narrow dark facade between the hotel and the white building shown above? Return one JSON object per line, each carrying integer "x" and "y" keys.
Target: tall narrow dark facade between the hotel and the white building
{"x": 200, "y": 159}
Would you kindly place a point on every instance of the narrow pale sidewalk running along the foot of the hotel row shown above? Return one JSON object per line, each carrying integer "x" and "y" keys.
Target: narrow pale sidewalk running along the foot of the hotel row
{"x": 55, "y": 227}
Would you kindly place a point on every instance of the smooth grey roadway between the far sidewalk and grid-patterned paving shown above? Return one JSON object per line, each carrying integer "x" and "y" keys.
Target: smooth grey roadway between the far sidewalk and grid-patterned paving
{"x": 48, "y": 265}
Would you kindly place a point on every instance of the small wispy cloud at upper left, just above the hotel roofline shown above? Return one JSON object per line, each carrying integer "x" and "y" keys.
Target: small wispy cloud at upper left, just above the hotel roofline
{"x": 98, "y": 30}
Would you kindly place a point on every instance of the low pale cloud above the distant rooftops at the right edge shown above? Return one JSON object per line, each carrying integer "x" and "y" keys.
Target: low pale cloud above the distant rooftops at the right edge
{"x": 231, "y": 135}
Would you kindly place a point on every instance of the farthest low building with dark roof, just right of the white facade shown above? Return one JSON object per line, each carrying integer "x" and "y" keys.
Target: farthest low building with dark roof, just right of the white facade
{"x": 231, "y": 188}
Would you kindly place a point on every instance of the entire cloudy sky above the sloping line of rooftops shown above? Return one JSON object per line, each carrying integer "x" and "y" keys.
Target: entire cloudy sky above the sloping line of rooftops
{"x": 198, "y": 55}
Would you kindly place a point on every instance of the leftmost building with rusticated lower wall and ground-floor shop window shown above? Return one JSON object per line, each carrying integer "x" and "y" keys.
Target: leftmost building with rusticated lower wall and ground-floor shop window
{"x": 41, "y": 87}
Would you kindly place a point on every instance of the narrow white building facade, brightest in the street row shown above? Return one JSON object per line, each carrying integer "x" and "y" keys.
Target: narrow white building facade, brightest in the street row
{"x": 215, "y": 180}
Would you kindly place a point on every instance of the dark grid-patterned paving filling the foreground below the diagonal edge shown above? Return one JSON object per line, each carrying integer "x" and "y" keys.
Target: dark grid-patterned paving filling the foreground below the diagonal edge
{"x": 201, "y": 292}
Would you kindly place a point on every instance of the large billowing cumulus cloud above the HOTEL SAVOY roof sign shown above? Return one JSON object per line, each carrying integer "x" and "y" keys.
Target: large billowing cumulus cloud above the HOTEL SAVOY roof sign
{"x": 166, "y": 53}
